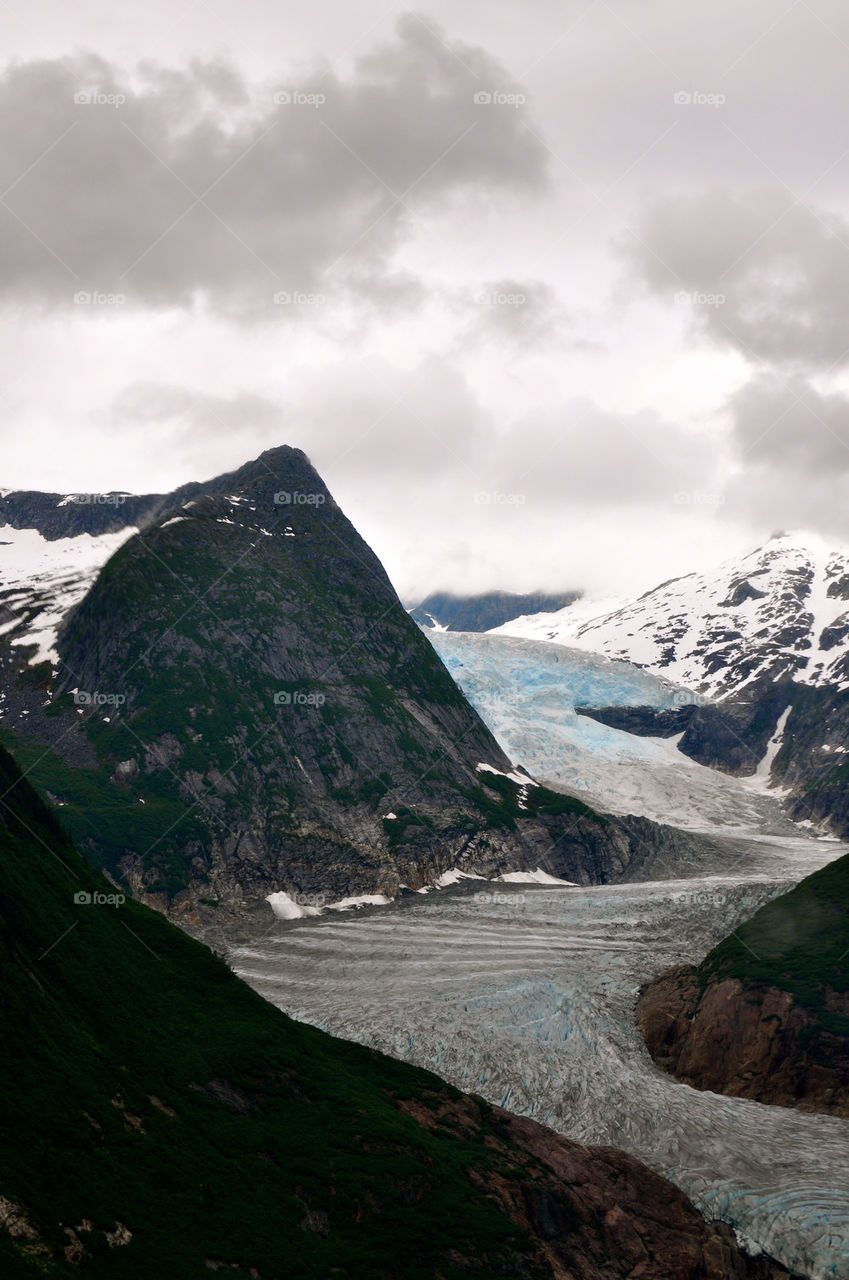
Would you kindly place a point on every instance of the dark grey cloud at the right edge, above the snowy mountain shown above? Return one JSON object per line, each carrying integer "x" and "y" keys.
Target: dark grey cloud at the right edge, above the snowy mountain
{"x": 760, "y": 273}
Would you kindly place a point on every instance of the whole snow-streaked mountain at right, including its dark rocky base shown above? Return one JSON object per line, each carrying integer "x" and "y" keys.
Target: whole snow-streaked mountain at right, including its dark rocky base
{"x": 764, "y": 642}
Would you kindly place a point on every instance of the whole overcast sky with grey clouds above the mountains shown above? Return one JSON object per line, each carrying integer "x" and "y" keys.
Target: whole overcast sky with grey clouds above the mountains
{"x": 554, "y": 295}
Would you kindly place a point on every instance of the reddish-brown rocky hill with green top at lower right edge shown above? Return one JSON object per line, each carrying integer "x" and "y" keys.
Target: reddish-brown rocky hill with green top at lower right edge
{"x": 766, "y": 1016}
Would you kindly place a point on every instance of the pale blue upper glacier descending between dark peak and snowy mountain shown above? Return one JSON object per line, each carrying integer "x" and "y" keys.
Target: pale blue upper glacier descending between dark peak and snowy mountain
{"x": 527, "y": 692}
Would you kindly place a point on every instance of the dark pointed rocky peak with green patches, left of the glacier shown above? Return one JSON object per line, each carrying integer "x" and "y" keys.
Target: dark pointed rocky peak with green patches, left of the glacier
{"x": 238, "y": 706}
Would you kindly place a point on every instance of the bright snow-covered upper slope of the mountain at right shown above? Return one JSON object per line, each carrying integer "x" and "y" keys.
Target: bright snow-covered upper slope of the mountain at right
{"x": 780, "y": 612}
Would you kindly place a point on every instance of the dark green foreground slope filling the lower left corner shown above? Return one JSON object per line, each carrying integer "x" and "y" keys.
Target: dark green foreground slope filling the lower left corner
{"x": 158, "y": 1118}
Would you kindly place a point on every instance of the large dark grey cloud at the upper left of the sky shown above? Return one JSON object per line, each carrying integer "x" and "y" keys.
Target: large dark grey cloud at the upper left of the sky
{"x": 186, "y": 184}
